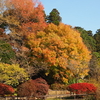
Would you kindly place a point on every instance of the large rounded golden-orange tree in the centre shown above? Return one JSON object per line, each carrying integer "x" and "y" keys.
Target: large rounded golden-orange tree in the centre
{"x": 63, "y": 49}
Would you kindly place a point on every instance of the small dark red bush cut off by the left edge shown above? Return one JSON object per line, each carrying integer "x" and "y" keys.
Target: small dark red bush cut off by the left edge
{"x": 6, "y": 89}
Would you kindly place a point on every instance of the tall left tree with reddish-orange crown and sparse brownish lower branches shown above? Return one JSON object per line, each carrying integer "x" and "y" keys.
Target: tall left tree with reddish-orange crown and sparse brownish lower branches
{"x": 21, "y": 19}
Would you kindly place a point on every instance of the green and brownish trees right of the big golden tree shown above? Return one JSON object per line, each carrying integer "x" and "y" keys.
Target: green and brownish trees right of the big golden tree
{"x": 92, "y": 42}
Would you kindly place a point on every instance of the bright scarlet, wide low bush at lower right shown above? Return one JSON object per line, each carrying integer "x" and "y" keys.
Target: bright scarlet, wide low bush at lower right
{"x": 79, "y": 88}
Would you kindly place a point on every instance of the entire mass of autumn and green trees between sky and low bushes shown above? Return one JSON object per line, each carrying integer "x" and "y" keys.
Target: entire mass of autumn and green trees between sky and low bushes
{"x": 33, "y": 45}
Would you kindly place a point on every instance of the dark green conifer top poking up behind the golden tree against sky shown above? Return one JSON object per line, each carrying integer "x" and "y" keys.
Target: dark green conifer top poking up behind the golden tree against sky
{"x": 54, "y": 17}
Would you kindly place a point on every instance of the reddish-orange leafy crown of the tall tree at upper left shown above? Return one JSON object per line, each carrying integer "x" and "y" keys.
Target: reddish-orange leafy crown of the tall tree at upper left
{"x": 29, "y": 13}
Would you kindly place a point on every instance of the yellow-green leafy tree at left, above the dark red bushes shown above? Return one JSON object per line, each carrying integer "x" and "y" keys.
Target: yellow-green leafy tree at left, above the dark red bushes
{"x": 12, "y": 74}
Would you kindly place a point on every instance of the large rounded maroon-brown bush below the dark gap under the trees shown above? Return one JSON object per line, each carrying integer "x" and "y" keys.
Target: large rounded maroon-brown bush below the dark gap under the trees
{"x": 37, "y": 87}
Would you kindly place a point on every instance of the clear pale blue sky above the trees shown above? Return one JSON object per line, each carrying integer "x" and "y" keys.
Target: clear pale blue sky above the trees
{"x": 82, "y": 13}
